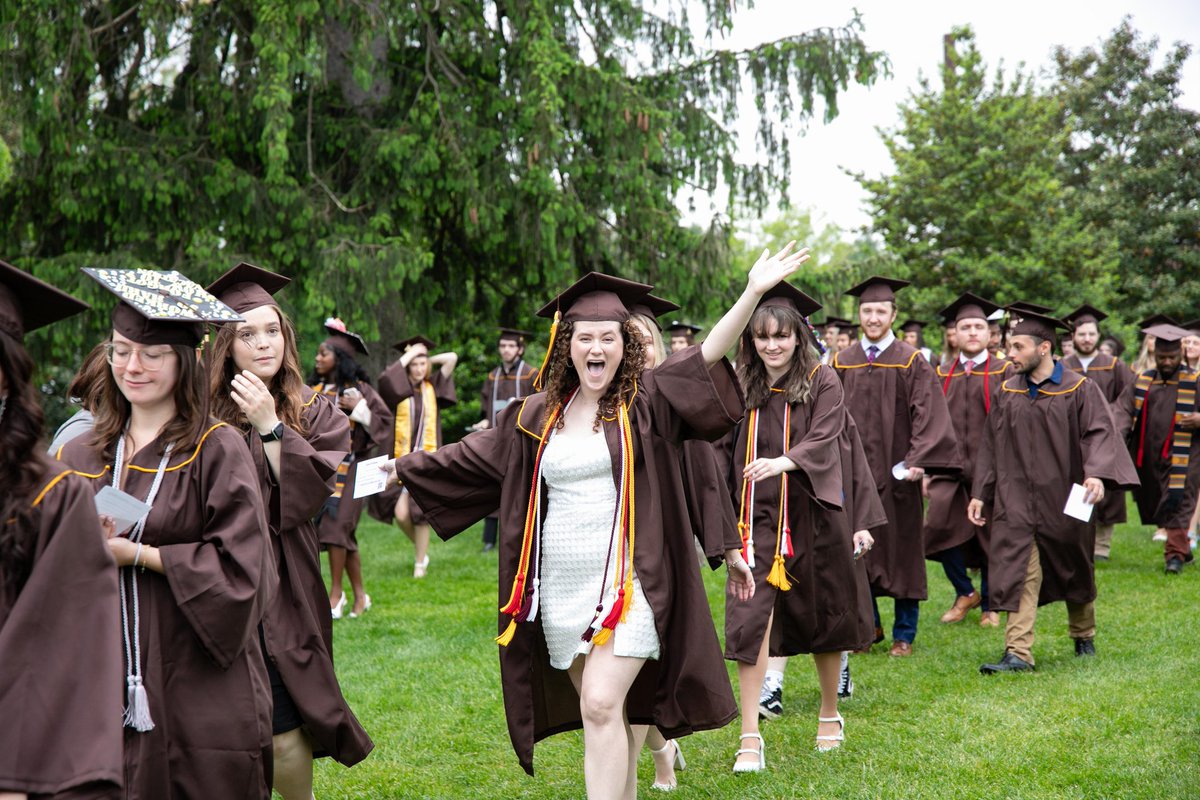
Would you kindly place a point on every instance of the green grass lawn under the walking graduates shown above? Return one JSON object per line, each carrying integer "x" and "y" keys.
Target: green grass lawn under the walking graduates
{"x": 421, "y": 671}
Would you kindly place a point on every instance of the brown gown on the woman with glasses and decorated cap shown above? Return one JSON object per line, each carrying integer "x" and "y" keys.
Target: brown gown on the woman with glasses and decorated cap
{"x": 202, "y": 664}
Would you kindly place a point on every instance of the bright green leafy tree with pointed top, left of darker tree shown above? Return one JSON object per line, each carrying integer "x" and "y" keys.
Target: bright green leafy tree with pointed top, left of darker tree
{"x": 977, "y": 202}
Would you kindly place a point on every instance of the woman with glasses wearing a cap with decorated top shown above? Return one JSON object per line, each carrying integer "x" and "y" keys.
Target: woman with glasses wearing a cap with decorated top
{"x": 196, "y": 572}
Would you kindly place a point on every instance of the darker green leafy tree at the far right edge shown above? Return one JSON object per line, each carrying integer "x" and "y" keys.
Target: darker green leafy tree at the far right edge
{"x": 1135, "y": 165}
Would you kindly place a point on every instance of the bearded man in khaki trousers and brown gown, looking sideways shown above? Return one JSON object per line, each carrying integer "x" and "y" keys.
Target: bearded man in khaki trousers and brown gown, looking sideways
{"x": 1049, "y": 430}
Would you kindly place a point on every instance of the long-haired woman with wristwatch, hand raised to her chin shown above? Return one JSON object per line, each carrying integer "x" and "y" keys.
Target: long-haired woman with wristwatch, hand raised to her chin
{"x": 297, "y": 440}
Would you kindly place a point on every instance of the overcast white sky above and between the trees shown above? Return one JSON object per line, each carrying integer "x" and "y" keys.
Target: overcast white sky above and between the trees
{"x": 911, "y": 34}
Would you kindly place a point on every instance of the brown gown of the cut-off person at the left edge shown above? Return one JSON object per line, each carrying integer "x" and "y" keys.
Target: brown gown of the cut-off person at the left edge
{"x": 61, "y": 652}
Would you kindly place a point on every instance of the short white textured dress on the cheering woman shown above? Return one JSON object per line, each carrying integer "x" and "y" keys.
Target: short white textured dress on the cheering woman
{"x": 575, "y": 539}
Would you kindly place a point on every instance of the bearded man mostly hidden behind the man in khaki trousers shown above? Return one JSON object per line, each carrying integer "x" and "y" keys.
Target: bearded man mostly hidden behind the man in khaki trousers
{"x": 1113, "y": 377}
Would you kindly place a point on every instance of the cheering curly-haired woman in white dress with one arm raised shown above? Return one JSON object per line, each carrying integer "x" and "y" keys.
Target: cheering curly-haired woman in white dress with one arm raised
{"x": 603, "y": 624}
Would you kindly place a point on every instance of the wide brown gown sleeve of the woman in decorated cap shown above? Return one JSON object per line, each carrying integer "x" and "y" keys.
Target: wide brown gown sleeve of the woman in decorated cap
{"x": 217, "y": 580}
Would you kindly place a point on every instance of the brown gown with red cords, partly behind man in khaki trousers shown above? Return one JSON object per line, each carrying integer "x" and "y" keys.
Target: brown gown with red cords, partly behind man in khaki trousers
{"x": 946, "y": 520}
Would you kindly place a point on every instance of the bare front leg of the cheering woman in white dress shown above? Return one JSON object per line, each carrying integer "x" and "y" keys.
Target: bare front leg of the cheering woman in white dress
{"x": 610, "y": 760}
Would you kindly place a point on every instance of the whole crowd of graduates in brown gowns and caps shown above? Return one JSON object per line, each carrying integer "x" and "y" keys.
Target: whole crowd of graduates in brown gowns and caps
{"x": 165, "y": 624}
